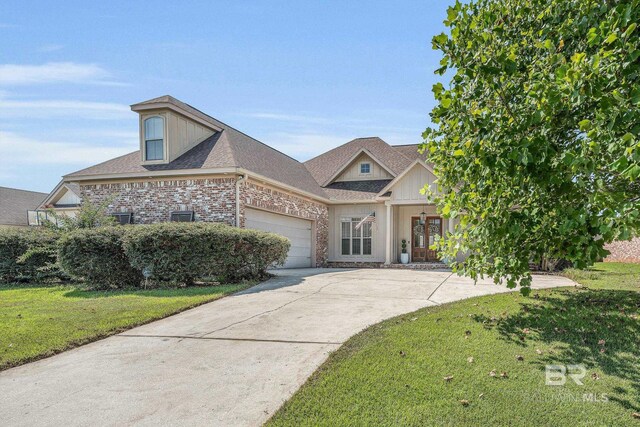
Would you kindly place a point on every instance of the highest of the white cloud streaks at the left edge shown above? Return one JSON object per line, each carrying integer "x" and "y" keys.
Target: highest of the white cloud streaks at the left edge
{"x": 54, "y": 72}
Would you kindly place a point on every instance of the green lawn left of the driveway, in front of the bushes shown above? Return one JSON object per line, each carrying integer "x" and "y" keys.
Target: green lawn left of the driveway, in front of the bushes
{"x": 39, "y": 321}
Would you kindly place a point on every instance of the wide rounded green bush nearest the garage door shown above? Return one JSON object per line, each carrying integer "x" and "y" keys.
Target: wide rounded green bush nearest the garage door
{"x": 183, "y": 252}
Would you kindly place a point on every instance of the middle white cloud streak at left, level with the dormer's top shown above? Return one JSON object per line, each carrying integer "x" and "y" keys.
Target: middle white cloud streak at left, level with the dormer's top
{"x": 11, "y": 108}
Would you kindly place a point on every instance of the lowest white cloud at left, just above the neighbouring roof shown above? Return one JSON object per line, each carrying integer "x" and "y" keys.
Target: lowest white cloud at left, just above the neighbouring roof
{"x": 18, "y": 152}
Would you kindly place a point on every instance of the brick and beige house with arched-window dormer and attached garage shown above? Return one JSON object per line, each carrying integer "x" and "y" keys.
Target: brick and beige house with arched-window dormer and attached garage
{"x": 352, "y": 204}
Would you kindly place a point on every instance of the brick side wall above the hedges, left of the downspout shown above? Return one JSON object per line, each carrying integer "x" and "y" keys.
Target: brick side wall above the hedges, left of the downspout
{"x": 212, "y": 199}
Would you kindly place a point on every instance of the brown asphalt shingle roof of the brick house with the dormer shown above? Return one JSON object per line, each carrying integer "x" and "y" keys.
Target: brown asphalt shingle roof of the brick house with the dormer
{"x": 231, "y": 148}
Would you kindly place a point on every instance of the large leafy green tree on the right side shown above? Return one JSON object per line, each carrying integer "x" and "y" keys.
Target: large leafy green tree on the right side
{"x": 535, "y": 139}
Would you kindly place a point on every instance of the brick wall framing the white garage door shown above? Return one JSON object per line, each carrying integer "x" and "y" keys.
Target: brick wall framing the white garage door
{"x": 263, "y": 197}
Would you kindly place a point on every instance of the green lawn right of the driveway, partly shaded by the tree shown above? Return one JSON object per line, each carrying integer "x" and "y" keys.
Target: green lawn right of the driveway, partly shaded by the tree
{"x": 394, "y": 372}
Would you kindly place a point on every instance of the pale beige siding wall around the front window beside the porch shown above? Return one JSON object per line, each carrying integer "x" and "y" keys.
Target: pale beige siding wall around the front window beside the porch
{"x": 378, "y": 230}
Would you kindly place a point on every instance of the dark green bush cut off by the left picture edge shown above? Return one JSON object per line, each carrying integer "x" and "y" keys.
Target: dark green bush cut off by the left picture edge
{"x": 28, "y": 254}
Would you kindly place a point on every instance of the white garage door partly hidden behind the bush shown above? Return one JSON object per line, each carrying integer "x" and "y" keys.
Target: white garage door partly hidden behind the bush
{"x": 295, "y": 229}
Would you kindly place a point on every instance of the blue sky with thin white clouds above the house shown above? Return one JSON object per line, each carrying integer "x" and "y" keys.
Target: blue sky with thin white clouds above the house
{"x": 302, "y": 77}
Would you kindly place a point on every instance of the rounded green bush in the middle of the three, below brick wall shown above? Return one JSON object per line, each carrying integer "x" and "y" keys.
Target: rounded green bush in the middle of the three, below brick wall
{"x": 97, "y": 256}
